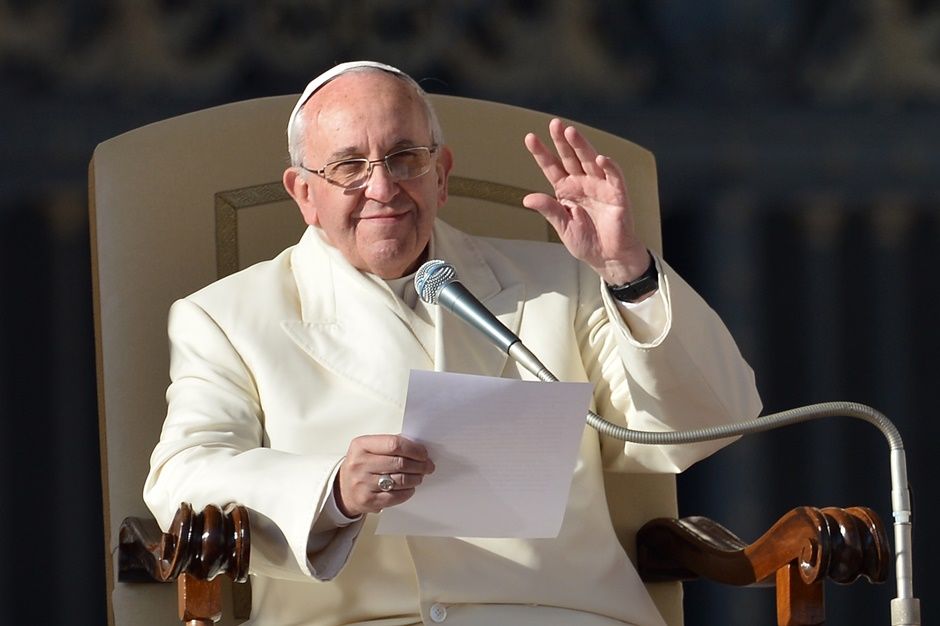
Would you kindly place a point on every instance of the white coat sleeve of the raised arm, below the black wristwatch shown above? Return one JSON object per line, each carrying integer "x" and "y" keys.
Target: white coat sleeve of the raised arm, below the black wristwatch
{"x": 688, "y": 375}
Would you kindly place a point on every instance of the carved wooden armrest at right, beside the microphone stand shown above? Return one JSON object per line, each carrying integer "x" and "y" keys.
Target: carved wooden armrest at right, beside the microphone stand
{"x": 806, "y": 546}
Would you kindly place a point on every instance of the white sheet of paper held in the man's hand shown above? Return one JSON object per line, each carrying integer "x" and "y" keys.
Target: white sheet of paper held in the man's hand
{"x": 504, "y": 454}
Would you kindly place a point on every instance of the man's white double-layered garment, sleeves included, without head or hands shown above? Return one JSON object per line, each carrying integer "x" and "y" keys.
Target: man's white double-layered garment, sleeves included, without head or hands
{"x": 276, "y": 368}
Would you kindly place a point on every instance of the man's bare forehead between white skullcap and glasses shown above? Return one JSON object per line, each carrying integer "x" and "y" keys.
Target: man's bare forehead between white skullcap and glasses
{"x": 365, "y": 111}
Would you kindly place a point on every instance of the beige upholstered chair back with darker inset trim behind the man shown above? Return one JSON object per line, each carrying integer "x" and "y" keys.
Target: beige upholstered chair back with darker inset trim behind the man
{"x": 179, "y": 203}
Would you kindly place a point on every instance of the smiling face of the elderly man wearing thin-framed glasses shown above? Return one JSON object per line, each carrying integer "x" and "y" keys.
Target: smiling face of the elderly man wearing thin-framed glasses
{"x": 383, "y": 228}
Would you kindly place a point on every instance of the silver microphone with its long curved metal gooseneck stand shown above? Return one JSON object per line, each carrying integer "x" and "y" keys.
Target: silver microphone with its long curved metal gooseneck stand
{"x": 436, "y": 283}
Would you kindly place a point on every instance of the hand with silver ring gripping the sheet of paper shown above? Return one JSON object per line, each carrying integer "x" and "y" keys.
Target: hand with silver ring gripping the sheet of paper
{"x": 369, "y": 458}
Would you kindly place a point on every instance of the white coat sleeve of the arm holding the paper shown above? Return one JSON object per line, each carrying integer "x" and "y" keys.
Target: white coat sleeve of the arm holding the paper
{"x": 211, "y": 451}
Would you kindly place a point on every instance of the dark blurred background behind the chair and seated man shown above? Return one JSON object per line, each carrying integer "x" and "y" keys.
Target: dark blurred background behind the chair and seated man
{"x": 798, "y": 145}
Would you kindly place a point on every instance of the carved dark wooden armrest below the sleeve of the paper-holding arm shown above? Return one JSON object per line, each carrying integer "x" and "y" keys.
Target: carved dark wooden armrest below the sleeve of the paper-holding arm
{"x": 198, "y": 548}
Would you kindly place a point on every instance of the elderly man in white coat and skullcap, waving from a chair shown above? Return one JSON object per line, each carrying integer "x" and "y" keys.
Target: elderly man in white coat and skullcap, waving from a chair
{"x": 288, "y": 379}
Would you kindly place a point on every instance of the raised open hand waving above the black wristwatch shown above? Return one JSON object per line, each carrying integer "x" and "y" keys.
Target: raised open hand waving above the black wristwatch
{"x": 591, "y": 208}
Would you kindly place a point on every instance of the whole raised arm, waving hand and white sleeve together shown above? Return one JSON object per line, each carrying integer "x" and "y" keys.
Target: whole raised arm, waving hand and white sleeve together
{"x": 673, "y": 368}
